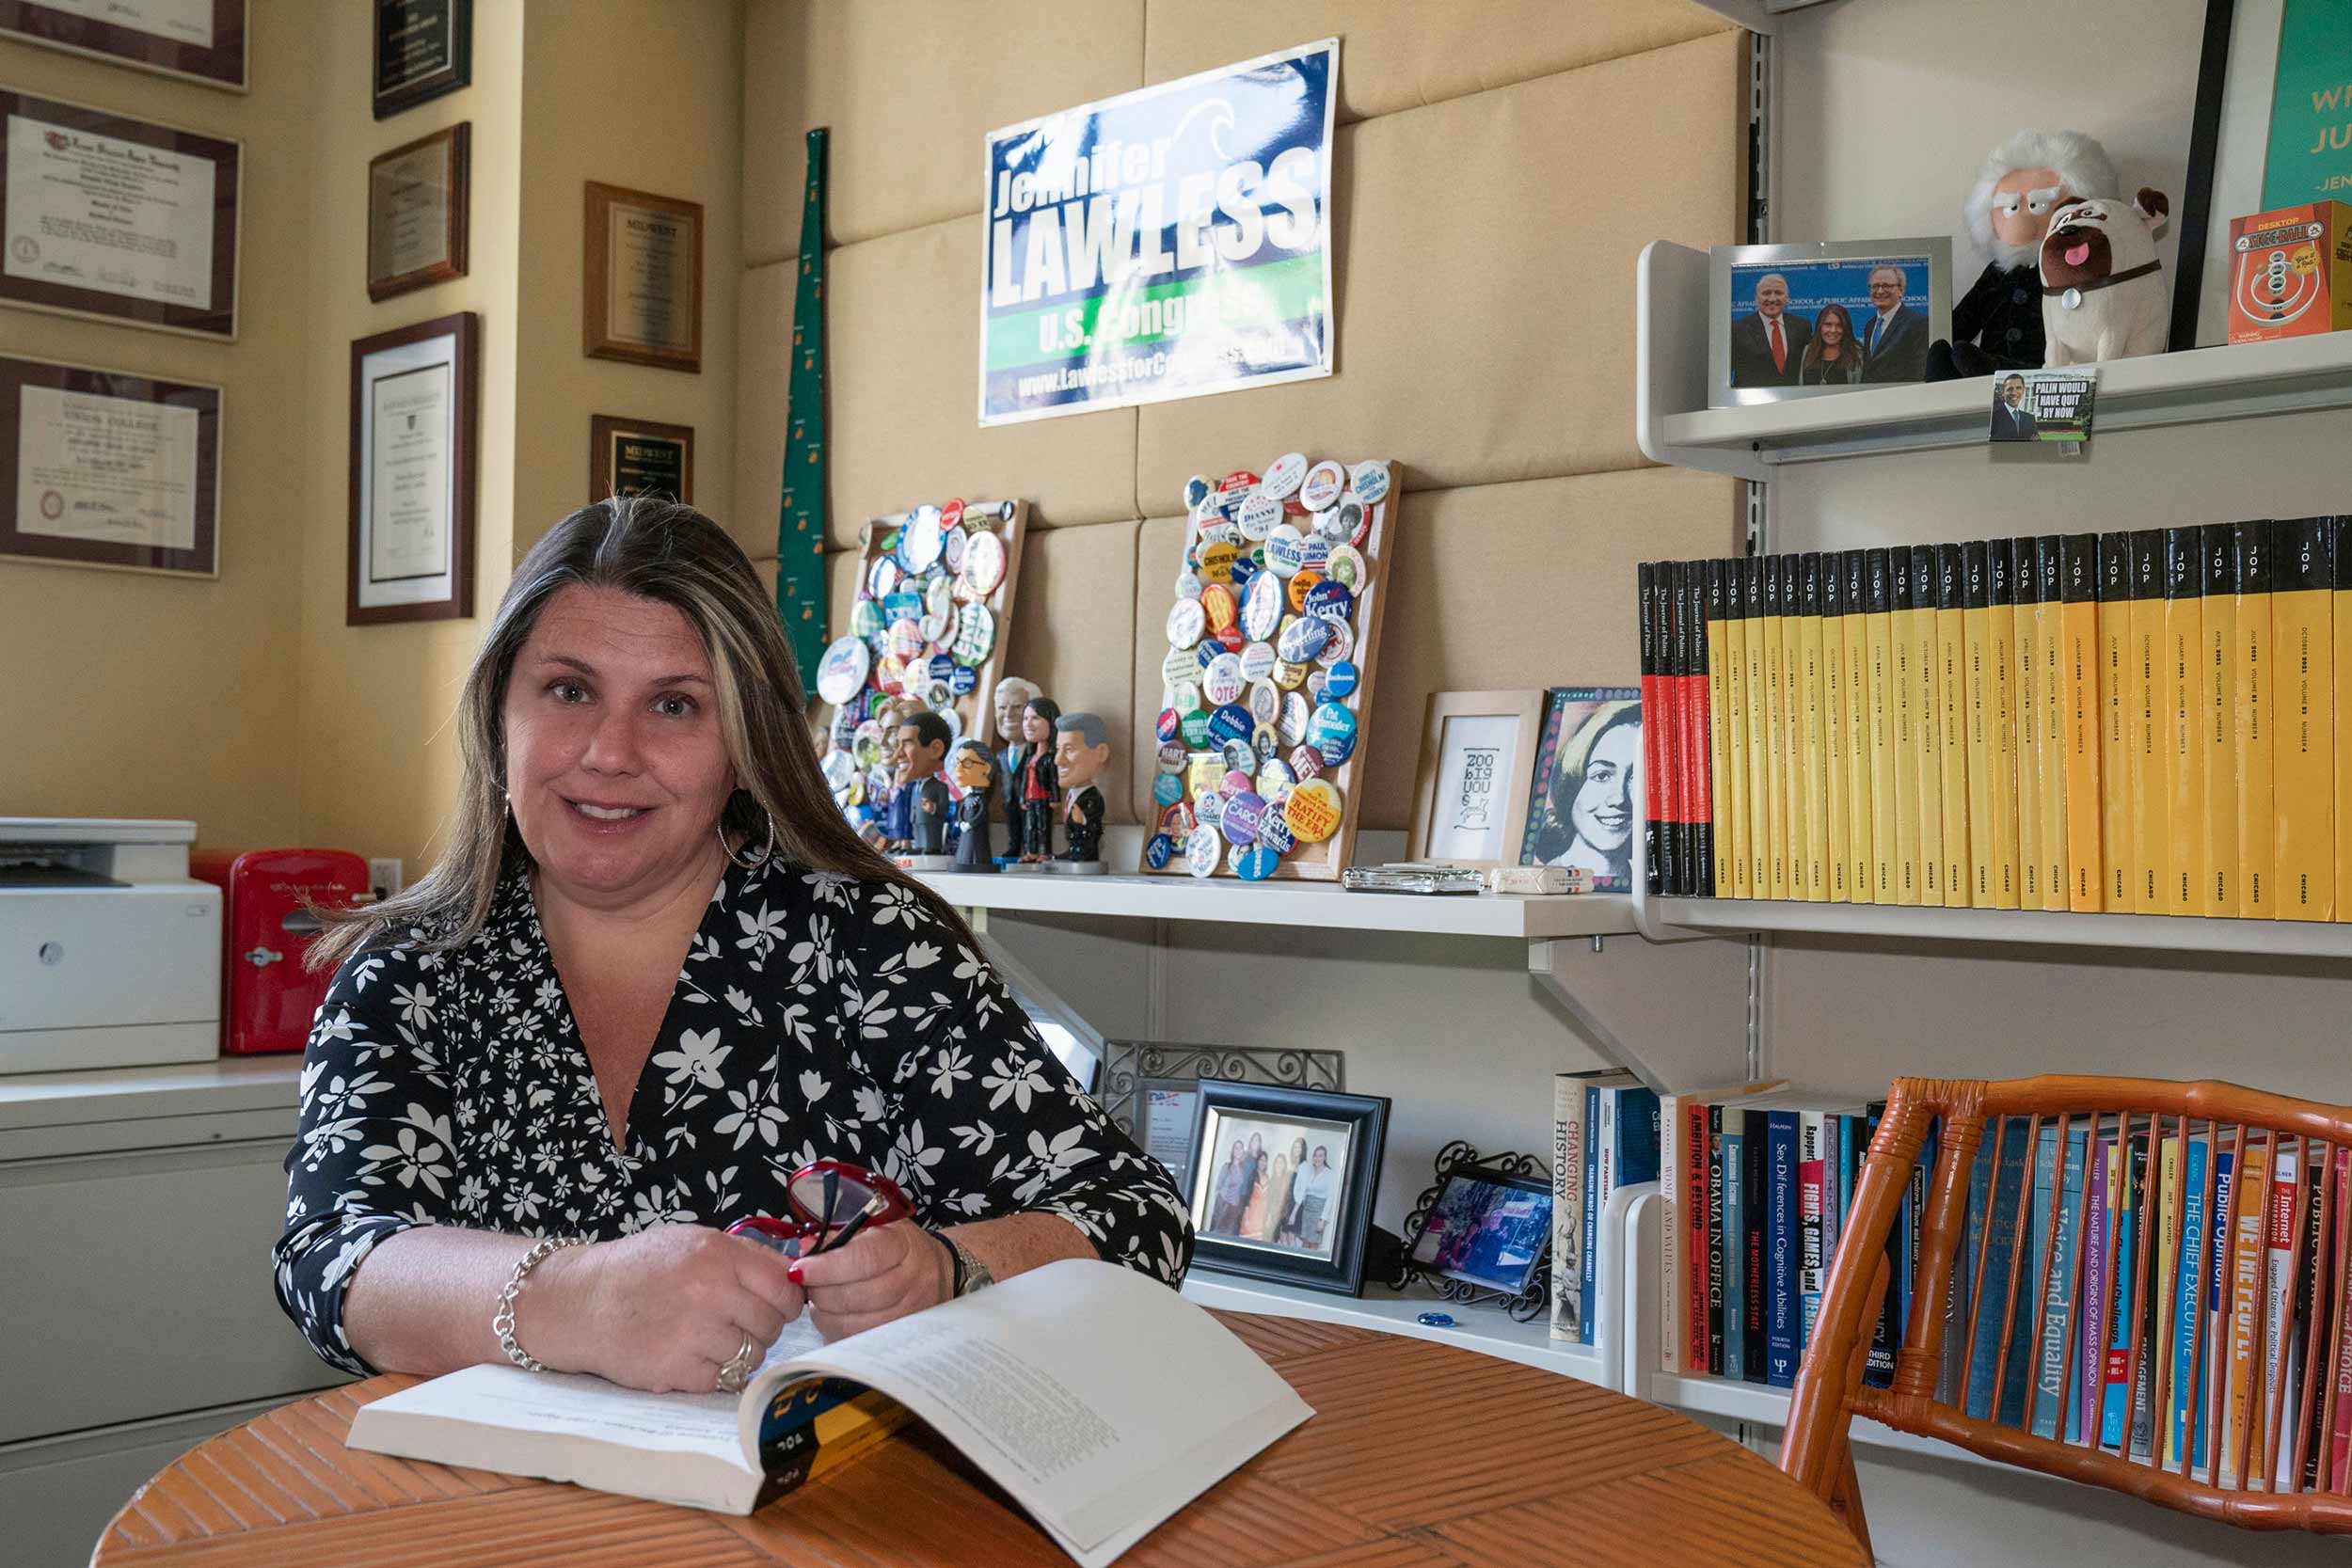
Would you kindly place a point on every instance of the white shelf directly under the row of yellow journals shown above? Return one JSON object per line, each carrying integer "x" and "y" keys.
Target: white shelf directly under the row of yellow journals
{"x": 2029, "y": 927}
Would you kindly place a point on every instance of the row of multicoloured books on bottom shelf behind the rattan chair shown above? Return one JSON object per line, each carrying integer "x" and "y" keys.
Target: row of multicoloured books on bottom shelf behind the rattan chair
{"x": 2172, "y": 1294}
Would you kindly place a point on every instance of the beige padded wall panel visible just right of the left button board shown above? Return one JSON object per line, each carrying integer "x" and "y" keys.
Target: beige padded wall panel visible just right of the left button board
{"x": 1074, "y": 634}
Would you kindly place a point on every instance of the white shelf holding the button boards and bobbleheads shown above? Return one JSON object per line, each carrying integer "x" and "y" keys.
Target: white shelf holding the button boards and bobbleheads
{"x": 1288, "y": 904}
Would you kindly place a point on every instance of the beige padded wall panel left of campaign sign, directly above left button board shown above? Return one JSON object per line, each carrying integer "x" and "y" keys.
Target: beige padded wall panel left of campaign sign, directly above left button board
{"x": 904, "y": 396}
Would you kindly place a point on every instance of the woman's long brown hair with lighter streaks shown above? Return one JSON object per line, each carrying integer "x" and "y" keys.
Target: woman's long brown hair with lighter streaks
{"x": 674, "y": 556}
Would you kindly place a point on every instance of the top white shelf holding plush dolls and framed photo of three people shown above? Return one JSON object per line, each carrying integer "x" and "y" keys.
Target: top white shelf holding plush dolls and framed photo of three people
{"x": 2179, "y": 389}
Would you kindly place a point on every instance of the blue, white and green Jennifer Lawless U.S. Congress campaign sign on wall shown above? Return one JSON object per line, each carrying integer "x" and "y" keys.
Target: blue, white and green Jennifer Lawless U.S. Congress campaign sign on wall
{"x": 1165, "y": 243}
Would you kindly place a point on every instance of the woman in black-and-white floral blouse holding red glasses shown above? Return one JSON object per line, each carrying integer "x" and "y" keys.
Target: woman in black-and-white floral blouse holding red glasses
{"x": 650, "y": 979}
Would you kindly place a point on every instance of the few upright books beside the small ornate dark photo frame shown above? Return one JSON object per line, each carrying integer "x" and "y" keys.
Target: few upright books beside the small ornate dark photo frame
{"x": 1605, "y": 1137}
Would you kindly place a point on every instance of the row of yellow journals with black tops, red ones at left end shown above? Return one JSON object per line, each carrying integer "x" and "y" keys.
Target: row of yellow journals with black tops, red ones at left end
{"x": 2102, "y": 723}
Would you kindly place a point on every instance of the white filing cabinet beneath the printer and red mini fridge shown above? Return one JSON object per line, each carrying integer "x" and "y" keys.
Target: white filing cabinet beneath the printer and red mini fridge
{"x": 138, "y": 1209}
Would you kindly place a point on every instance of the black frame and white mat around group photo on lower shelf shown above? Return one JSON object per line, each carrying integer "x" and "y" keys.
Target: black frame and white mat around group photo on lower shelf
{"x": 1339, "y": 1266}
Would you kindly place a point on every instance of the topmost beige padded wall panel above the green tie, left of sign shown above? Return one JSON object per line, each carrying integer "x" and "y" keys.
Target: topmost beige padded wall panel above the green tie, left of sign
{"x": 909, "y": 91}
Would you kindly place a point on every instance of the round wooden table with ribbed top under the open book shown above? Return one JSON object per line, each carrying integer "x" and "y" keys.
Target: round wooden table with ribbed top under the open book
{"x": 1419, "y": 1456}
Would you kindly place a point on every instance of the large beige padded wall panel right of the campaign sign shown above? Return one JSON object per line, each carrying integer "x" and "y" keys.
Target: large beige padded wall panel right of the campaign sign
{"x": 1485, "y": 279}
